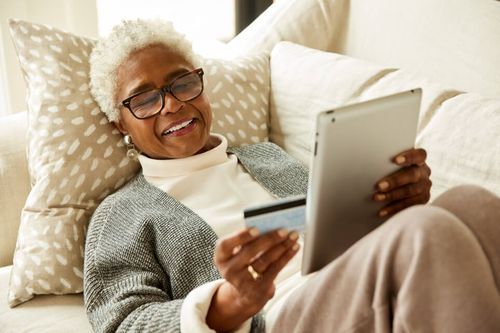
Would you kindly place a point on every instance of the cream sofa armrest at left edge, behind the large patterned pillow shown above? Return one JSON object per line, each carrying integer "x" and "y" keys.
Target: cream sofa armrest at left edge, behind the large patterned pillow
{"x": 14, "y": 181}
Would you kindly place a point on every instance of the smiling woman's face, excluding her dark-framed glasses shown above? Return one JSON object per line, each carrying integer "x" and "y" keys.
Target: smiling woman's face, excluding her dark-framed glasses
{"x": 151, "y": 68}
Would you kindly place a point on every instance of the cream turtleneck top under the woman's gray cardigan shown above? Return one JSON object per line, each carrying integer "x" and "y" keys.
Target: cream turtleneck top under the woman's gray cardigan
{"x": 212, "y": 184}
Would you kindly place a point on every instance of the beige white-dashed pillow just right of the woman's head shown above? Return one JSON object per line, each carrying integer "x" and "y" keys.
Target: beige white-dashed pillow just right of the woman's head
{"x": 238, "y": 90}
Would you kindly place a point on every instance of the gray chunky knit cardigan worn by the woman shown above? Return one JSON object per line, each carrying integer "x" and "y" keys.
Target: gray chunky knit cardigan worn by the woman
{"x": 146, "y": 251}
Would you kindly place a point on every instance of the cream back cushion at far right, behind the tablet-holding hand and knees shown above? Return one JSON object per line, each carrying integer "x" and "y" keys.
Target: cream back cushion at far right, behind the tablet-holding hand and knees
{"x": 463, "y": 143}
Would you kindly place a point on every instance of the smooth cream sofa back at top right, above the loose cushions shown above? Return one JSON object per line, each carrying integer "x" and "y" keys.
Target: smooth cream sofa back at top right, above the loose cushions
{"x": 423, "y": 36}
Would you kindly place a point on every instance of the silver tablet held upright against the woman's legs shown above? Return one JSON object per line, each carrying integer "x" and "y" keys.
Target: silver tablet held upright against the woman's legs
{"x": 353, "y": 150}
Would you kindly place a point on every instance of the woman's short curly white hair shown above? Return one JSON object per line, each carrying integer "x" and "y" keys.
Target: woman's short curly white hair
{"x": 125, "y": 38}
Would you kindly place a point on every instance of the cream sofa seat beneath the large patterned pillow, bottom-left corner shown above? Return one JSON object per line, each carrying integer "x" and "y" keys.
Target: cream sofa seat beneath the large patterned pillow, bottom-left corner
{"x": 45, "y": 314}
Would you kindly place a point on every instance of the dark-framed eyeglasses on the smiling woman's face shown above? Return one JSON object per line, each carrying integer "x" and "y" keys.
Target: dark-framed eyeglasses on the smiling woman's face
{"x": 149, "y": 103}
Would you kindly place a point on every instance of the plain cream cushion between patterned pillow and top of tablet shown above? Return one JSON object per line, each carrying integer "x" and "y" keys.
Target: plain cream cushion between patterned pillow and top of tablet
{"x": 306, "y": 81}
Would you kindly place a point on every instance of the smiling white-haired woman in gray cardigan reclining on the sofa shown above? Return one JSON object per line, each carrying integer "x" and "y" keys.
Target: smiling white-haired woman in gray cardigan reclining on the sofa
{"x": 169, "y": 250}
